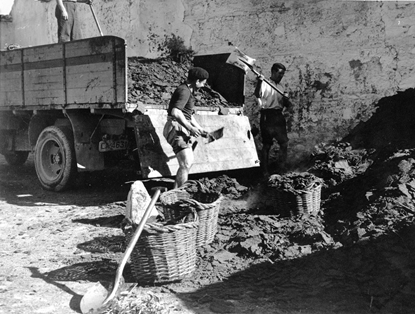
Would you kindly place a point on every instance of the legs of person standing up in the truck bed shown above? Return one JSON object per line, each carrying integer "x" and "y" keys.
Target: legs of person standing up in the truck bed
{"x": 67, "y": 16}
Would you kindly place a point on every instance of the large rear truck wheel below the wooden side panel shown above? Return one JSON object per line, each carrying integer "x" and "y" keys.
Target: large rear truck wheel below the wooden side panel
{"x": 55, "y": 160}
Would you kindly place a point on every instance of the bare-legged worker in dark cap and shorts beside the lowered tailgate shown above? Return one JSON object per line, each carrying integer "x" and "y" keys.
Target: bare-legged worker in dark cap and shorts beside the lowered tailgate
{"x": 181, "y": 127}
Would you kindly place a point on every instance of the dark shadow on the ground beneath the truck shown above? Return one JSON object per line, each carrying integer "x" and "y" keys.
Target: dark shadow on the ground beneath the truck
{"x": 20, "y": 186}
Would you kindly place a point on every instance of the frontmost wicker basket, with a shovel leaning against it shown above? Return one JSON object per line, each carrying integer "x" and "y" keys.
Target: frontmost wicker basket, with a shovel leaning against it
{"x": 164, "y": 253}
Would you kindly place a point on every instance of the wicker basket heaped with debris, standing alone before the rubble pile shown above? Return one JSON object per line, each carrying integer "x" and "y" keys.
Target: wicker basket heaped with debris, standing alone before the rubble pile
{"x": 293, "y": 203}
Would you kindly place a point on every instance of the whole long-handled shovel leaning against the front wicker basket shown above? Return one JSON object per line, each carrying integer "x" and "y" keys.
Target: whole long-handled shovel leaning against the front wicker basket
{"x": 97, "y": 296}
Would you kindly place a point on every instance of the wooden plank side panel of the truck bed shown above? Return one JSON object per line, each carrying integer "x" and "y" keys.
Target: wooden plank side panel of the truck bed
{"x": 84, "y": 73}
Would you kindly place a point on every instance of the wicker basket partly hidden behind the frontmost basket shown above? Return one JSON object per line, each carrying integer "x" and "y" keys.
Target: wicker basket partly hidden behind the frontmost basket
{"x": 205, "y": 204}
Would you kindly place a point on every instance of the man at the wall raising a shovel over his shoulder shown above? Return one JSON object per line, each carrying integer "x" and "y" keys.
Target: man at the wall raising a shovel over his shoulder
{"x": 272, "y": 120}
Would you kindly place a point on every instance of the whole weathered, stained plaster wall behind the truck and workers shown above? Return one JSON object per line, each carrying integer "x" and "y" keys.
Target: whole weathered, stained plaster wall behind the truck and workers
{"x": 341, "y": 56}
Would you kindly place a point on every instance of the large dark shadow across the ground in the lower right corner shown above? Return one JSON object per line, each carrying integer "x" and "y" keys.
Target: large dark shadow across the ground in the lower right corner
{"x": 370, "y": 277}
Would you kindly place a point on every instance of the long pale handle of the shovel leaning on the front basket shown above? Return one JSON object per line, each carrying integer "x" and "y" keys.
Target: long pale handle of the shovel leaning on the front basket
{"x": 132, "y": 243}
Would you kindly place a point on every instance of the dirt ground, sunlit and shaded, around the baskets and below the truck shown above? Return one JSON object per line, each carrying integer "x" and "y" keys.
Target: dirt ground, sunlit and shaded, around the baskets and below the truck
{"x": 55, "y": 246}
